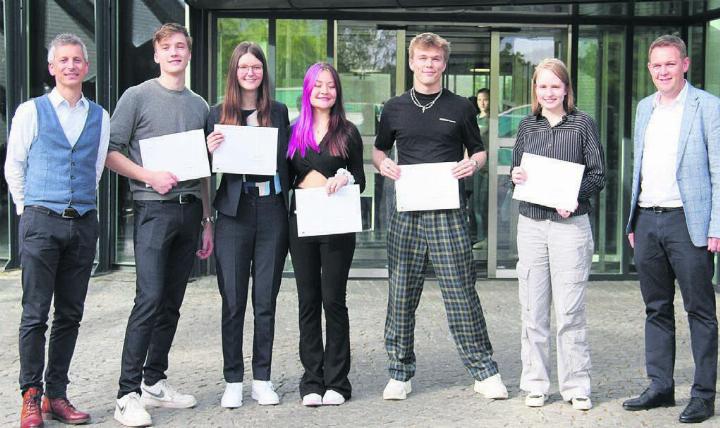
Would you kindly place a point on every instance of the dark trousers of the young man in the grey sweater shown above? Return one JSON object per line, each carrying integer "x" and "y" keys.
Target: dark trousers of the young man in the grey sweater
{"x": 165, "y": 238}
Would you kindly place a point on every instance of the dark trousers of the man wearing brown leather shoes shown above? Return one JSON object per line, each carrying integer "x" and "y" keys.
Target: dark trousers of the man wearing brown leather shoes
{"x": 57, "y": 256}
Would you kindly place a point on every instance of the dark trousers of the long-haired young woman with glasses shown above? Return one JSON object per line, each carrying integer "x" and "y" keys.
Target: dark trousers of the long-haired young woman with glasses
{"x": 253, "y": 243}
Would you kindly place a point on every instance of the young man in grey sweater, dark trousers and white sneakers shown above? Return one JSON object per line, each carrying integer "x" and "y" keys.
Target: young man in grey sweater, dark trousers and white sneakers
{"x": 168, "y": 216}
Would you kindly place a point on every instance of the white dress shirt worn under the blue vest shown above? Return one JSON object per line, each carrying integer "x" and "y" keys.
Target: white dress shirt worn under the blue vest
{"x": 24, "y": 129}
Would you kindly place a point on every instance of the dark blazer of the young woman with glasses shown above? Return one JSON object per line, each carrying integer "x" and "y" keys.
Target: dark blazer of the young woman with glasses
{"x": 230, "y": 190}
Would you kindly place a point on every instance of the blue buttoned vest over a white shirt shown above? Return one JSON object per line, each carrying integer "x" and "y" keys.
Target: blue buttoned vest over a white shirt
{"x": 59, "y": 175}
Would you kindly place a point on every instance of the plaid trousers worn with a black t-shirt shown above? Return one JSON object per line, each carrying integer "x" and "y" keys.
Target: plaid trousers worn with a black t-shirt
{"x": 442, "y": 237}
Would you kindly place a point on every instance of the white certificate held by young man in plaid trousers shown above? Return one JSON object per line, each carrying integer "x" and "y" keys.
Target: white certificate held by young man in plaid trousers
{"x": 427, "y": 187}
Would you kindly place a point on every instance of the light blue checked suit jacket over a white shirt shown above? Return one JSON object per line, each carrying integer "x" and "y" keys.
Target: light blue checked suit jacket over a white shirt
{"x": 697, "y": 169}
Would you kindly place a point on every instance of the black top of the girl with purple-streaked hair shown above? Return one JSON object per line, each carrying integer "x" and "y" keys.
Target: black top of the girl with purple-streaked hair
{"x": 327, "y": 164}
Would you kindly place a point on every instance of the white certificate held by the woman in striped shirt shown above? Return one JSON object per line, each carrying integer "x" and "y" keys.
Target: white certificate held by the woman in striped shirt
{"x": 550, "y": 182}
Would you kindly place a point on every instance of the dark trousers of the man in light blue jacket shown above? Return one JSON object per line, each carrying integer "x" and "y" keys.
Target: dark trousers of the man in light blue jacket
{"x": 664, "y": 253}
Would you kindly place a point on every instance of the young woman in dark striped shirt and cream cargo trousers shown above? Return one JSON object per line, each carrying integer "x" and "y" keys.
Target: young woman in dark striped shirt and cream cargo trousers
{"x": 555, "y": 246}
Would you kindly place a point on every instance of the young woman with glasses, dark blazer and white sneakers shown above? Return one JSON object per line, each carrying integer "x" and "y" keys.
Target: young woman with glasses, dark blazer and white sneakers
{"x": 251, "y": 237}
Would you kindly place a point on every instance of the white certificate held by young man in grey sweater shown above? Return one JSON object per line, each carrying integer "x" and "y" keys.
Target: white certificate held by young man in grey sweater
{"x": 184, "y": 154}
